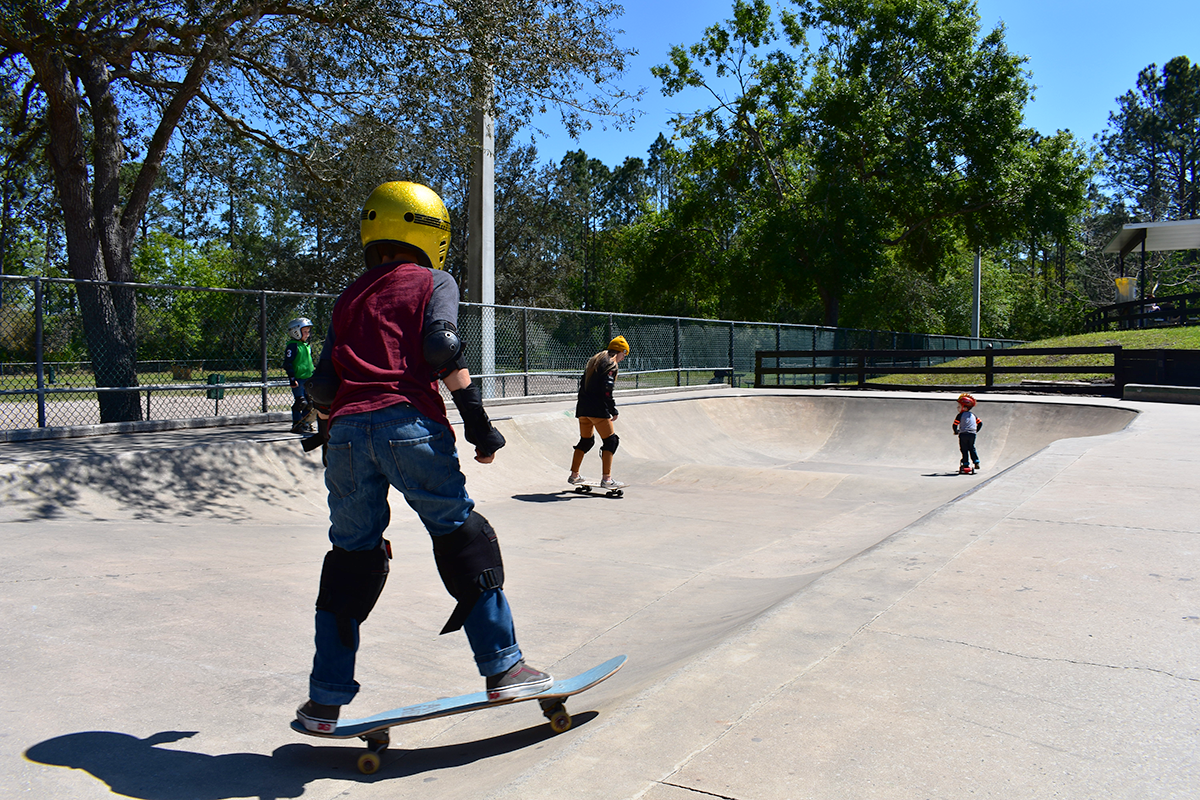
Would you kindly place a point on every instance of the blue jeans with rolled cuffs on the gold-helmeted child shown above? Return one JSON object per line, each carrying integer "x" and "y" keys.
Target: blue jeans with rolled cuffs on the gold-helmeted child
{"x": 369, "y": 454}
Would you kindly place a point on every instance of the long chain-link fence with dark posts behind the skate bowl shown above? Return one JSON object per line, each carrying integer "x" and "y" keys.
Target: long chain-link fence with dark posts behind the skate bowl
{"x": 81, "y": 353}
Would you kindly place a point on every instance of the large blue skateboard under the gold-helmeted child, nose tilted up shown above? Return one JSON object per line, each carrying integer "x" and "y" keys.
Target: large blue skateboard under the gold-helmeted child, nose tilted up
{"x": 375, "y": 730}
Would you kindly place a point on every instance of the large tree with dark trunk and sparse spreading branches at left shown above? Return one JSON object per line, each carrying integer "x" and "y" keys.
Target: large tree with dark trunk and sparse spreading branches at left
{"x": 110, "y": 85}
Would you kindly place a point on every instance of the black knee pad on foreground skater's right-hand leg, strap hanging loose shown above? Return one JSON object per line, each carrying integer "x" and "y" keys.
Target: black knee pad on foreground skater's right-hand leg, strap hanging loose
{"x": 470, "y": 564}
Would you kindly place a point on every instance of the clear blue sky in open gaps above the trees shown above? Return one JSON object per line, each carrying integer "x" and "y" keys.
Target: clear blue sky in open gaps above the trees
{"x": 1083, "y": 56}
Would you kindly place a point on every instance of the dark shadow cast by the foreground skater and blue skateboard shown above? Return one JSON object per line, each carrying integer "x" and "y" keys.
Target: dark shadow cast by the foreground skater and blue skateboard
{"x": 140, "y": 768}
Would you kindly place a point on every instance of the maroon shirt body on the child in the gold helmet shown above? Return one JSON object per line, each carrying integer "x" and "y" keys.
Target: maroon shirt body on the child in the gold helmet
{"x": 377, "y": 344}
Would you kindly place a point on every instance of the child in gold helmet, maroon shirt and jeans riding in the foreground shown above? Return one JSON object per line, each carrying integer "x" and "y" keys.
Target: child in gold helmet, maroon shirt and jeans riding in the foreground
{"x": 393, "y": 336}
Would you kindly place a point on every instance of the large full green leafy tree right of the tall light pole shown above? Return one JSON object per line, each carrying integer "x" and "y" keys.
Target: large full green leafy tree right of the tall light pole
{"x": 866, "y": 163}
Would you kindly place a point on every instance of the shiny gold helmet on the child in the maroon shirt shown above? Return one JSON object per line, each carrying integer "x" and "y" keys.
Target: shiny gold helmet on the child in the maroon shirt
{"x": 406, "y": 214}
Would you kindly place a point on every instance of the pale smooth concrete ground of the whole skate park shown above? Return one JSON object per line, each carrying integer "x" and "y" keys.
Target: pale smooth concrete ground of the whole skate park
{"x": 814, "y": 605}
